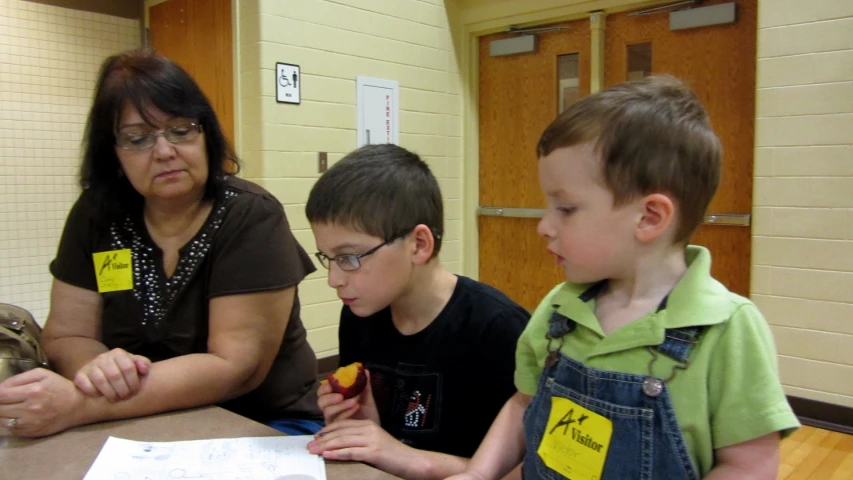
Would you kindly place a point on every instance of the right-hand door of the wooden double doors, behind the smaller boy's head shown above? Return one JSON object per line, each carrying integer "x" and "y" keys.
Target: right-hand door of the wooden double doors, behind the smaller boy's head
{"x": 718, "y": 63}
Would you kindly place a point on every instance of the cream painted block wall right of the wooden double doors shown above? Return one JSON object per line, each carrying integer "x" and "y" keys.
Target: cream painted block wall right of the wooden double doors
{"x": 803, "y": 198}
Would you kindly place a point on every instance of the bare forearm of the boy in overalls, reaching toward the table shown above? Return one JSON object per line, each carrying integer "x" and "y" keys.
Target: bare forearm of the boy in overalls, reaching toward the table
{"x": 503, "y": 448}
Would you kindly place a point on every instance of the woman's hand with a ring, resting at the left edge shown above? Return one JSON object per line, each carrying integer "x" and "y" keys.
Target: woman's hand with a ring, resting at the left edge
{"x": 39, "y": 402}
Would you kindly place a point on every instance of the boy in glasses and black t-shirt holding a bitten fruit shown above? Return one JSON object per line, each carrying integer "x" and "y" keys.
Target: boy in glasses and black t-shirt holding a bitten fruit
{"x": 439, "y": 348}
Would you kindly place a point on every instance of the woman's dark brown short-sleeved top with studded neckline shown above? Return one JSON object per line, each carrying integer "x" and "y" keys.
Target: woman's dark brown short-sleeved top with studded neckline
{"x": 244, "y": 246}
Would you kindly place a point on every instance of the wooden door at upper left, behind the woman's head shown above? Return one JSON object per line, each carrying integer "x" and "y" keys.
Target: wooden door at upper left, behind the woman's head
{"x": 196, "y": 34}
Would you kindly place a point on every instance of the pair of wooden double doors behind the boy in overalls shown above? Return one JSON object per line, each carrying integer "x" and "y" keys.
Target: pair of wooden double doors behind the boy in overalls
{"x": 518, "y": 98}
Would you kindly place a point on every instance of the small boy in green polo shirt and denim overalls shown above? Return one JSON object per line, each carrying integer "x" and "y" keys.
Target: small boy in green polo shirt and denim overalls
{"x": 641, "y": 365}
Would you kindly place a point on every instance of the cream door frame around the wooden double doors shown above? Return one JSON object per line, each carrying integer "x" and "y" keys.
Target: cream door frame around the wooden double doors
{"x": 475, "y": 21}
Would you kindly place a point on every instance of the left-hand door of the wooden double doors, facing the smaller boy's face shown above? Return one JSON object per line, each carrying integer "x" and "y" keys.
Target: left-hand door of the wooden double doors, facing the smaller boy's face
{"x": 519, "y": 97}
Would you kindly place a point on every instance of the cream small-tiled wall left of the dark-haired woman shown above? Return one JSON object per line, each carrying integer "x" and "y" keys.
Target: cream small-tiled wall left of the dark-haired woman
{"x": 49, "y": 58}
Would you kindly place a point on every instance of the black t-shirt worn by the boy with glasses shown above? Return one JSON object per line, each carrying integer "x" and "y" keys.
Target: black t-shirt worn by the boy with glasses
{"x": 441, "y": 388}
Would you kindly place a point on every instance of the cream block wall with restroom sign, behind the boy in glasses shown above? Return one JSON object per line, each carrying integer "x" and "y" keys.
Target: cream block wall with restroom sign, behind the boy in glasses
{"x": 333, "y": 42}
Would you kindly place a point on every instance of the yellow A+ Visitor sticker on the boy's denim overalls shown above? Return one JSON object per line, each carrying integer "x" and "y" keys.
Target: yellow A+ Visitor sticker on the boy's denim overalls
{"x": 576, "y": 440}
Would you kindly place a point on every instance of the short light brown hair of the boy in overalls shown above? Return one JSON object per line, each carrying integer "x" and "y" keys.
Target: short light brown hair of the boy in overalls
{"x": 653, "y": 136}
